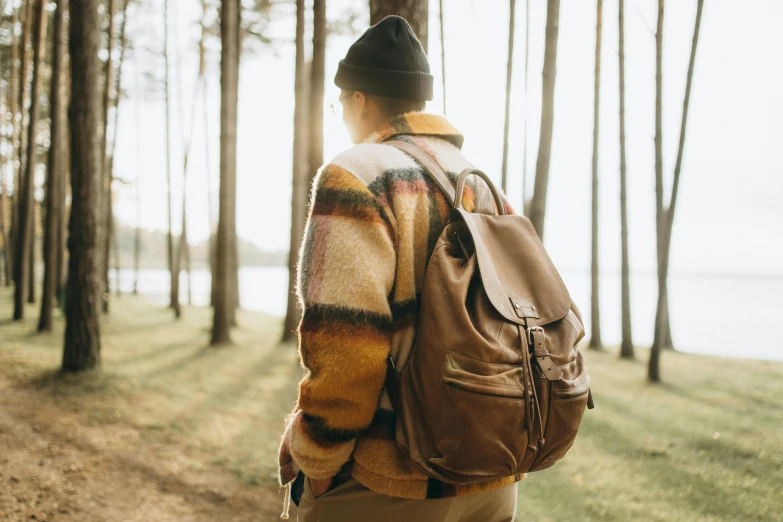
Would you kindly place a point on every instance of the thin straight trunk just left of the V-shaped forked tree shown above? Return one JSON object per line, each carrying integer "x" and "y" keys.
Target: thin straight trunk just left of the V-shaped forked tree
{"x": 626, "y": 345}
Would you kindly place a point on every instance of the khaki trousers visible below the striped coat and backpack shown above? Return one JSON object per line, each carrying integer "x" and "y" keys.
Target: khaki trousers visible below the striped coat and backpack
{"x": 352, "y": 502}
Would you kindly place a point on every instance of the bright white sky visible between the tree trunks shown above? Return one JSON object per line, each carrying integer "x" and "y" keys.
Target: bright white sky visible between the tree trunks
{"x": 729, "y": 216}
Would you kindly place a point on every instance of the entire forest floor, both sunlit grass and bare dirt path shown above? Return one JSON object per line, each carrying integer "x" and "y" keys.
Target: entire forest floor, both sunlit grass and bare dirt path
{"x": 170, "y": 429}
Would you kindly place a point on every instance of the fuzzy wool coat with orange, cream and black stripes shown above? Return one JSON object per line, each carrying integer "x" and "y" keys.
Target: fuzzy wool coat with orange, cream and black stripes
{"x": 375, "y": 216}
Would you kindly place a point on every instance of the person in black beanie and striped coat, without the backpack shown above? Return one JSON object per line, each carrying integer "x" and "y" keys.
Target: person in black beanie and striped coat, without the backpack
{"x": 374, "y": 218}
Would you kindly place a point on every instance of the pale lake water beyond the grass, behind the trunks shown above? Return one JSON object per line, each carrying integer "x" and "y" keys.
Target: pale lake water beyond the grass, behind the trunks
{"x": 733, "y": 316}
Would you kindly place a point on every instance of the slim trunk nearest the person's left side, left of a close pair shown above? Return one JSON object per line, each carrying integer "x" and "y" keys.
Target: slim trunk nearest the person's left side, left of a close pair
{"x": 299, "y": 186}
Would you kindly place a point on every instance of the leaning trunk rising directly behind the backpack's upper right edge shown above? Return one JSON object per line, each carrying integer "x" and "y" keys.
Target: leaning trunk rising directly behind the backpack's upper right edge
{"x": 538, "y": 204}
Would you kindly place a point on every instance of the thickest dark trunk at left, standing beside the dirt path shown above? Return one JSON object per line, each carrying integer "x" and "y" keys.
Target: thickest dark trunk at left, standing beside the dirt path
{"x": 82, "y": 347}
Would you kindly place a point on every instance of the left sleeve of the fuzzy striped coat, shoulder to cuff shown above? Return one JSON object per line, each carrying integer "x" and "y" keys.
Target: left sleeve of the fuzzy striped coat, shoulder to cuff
{"x": 346, "y": 274}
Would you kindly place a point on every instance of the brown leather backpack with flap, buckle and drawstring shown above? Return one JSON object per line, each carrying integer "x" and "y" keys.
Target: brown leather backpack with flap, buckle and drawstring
{"x": 496, "y": 384}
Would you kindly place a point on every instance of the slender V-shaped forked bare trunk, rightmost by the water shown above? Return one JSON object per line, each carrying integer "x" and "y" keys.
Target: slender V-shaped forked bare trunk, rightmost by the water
{"x": 667, "y": 216}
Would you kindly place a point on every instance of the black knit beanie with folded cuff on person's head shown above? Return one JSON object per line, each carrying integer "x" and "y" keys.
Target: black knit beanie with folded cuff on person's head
{"x": 388, "y": 60}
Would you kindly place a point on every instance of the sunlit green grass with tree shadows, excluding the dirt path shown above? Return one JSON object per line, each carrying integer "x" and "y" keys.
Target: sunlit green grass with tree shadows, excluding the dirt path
{"x": 706, "y": 445}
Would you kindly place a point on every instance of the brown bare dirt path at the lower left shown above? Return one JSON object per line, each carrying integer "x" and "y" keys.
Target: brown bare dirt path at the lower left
{"x": 56, "y": 467}
